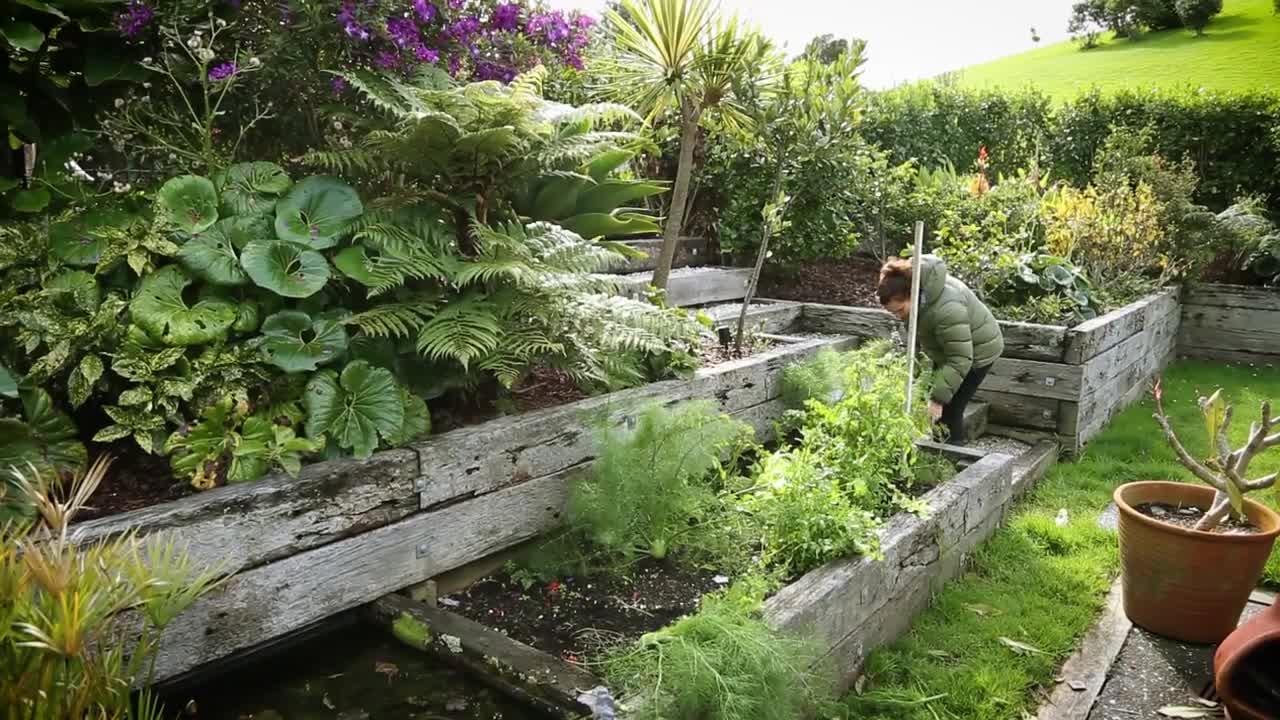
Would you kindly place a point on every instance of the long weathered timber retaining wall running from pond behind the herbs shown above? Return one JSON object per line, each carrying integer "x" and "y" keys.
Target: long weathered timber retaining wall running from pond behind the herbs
{"x": 349, "y": 532}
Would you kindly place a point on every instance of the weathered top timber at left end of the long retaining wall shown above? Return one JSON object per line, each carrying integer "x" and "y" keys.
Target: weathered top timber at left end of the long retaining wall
{"x": 245, "y": 526}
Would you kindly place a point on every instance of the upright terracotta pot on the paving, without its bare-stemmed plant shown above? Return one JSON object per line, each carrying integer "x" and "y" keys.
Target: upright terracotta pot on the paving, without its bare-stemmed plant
{"x": 1188, "y": 585}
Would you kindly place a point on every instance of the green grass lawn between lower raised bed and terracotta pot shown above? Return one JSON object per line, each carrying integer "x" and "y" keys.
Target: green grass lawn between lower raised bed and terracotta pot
{"x": 1044, "y": 585}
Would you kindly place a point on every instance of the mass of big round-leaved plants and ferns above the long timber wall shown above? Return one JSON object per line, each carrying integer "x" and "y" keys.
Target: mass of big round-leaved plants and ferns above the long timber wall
{"x": 246, "y": 321}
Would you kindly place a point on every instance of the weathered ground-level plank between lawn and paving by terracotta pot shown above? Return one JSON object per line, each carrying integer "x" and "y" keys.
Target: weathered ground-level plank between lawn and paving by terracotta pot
{"x": 1089, "y": 668}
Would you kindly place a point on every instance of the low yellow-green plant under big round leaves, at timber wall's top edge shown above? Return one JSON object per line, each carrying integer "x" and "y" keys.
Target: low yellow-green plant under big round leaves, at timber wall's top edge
{"x": 228, "y": 445}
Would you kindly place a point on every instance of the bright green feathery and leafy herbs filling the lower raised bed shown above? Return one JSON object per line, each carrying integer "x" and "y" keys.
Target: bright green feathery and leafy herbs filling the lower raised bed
{"x": 689, "y": 487}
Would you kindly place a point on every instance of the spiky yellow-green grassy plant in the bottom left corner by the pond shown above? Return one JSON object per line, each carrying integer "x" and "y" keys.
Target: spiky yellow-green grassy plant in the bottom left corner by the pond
{"x": 66, "y": 650}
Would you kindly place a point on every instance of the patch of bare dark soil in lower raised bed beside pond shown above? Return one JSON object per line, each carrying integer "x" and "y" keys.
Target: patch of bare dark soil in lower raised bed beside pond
{"x": 580, "y": 617}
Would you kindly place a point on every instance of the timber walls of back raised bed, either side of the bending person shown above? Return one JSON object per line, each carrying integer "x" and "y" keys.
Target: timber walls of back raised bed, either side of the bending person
{"x": 1053, "y": 381}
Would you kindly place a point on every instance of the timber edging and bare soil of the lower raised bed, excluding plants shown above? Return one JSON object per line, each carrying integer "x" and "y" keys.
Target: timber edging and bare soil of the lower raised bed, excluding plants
{"x": 848, "y": 607}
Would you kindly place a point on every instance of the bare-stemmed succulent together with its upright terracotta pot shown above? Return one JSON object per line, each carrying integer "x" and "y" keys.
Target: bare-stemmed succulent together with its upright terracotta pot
{"x": 1190, "y": 554}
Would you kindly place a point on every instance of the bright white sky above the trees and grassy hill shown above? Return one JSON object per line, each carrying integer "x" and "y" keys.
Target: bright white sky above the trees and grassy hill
{"x": 907, "y": 39}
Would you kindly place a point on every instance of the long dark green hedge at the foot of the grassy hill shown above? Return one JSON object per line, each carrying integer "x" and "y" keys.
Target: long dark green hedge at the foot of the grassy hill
{"x": 1233, "y": 138}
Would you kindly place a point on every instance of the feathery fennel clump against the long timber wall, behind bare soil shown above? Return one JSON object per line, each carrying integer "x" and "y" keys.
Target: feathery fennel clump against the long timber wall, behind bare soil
{"x": 648, "y": 491}
